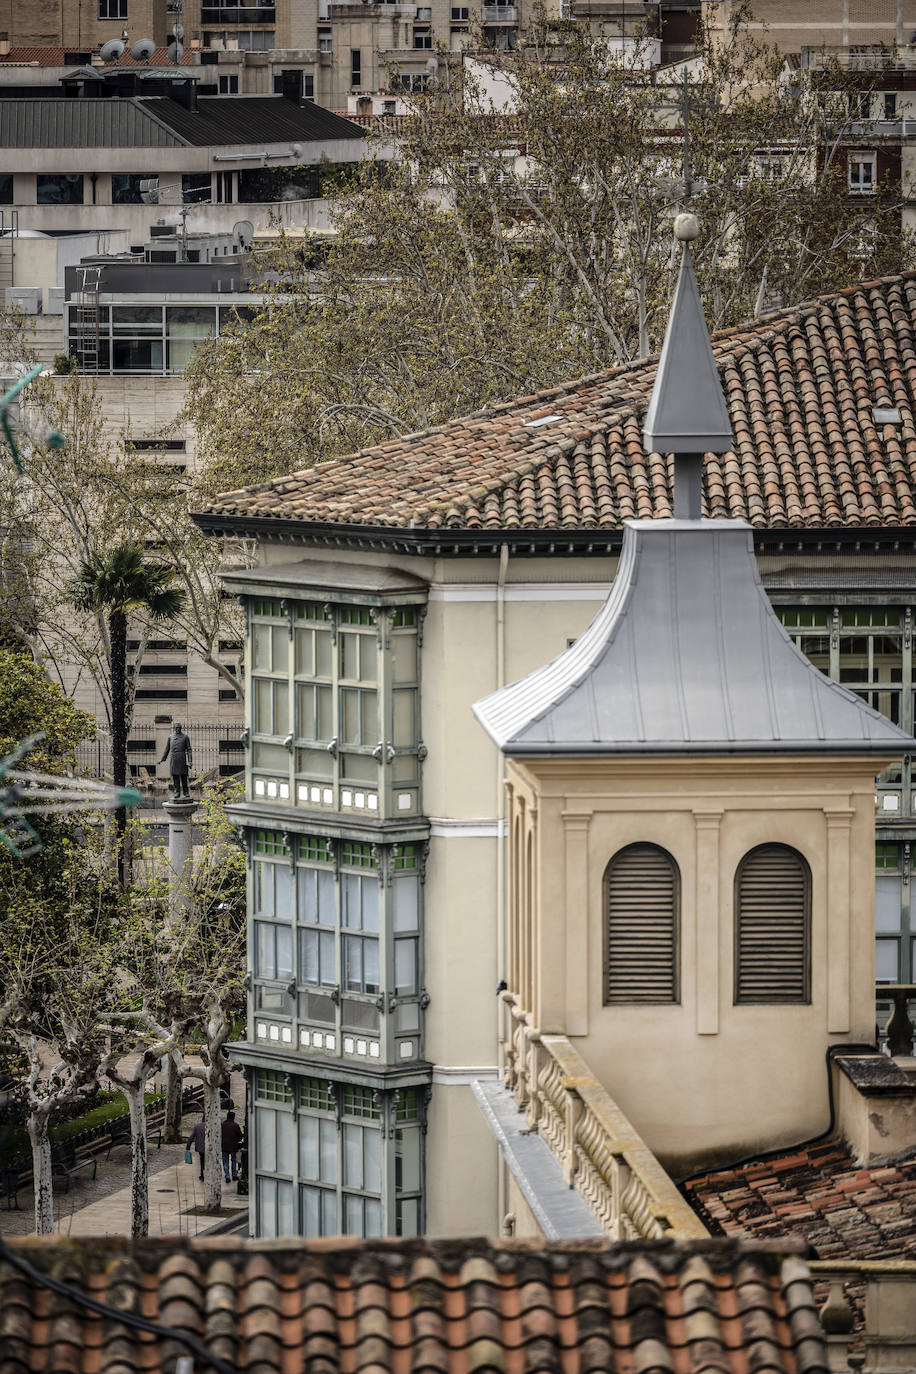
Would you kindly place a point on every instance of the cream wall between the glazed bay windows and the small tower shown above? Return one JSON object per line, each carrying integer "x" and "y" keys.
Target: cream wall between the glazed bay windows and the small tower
{"x": 476, "y": 638}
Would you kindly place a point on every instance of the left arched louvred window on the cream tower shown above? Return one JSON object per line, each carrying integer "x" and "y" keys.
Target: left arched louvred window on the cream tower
{"x": 642, "y": 914}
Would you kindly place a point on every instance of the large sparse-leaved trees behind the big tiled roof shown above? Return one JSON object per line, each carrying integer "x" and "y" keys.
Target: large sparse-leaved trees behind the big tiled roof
{"x": 502, "y": 254}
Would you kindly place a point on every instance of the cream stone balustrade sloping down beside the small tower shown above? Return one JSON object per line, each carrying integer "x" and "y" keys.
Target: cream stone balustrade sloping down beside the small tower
{"x": 599, "y": 1151}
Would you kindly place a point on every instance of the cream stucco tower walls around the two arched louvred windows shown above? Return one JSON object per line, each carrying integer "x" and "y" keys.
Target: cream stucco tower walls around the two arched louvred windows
{"x": 701, "y": 1079}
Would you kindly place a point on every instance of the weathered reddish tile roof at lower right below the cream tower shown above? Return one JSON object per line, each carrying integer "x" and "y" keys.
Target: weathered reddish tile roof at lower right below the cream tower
{"x": 816, "y": 1195}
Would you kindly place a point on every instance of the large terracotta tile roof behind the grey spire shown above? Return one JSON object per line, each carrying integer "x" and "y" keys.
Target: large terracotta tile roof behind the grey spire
{"x": 800, "y": 384}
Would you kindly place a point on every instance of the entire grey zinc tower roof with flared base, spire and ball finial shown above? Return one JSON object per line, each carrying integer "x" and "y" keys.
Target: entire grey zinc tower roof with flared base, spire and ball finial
{"x": 687, "y": 655}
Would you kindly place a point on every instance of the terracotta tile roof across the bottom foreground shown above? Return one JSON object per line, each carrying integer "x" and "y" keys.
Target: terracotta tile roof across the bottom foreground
{"x": 414, "y": 1306}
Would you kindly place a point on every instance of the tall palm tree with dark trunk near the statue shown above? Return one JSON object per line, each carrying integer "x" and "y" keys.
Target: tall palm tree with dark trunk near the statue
{"x": 116, "y": 585}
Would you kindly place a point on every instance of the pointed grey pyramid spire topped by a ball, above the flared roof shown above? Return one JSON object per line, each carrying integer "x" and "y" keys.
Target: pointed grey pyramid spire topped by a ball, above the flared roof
{"x": 687, "y": 412}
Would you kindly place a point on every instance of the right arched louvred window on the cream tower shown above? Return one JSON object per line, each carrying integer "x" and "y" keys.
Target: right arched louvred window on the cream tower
{"x": 772, "y": 927}
